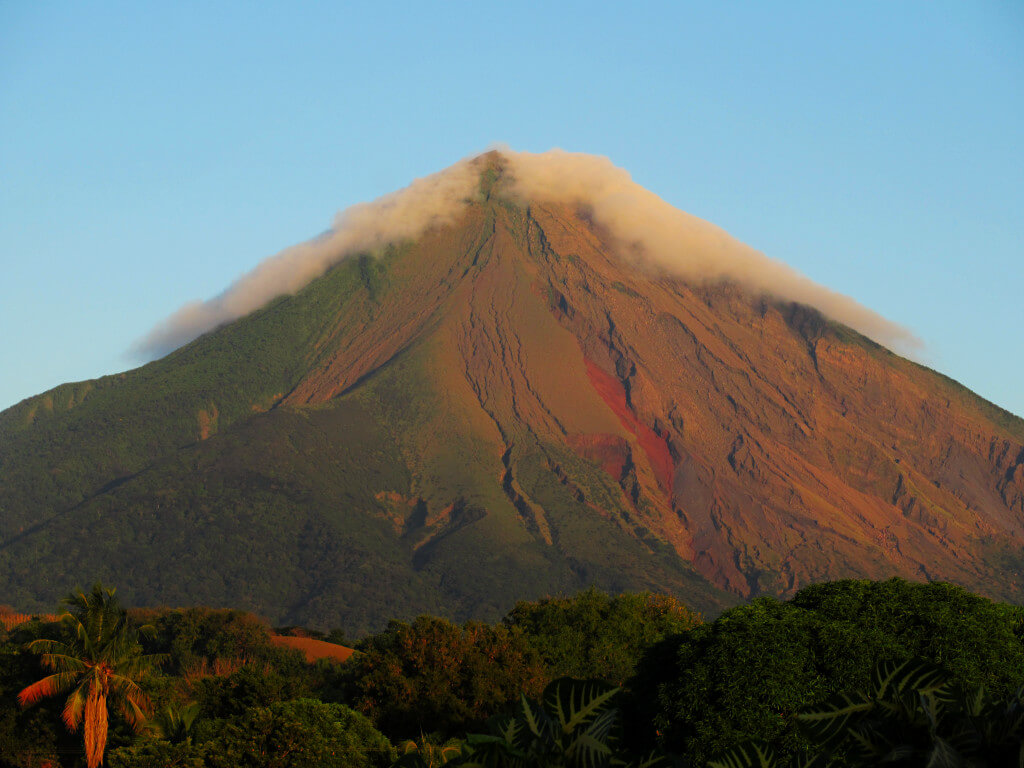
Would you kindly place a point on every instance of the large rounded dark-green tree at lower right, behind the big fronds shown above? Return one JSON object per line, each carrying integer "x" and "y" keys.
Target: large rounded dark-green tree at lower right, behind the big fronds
{"x": 748, "y": 673}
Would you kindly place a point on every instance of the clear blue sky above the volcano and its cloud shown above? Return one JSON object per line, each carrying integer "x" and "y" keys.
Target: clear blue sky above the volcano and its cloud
{"x": 151, "y": 153}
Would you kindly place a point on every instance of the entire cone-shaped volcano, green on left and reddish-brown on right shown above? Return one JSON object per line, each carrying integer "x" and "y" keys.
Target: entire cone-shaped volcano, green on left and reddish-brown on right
{"x": 498, "y": 411}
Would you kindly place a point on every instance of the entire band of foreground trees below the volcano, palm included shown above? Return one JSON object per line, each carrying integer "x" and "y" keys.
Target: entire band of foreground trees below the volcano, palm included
{"x": 849, "y": 673}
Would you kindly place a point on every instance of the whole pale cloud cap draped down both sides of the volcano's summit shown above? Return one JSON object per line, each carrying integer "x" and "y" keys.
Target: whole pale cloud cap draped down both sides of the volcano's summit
{"x": 652, "y": 234}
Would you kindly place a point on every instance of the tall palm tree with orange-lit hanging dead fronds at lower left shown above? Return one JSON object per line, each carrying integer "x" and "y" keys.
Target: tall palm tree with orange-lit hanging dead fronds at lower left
{"x": 100, "y": 663}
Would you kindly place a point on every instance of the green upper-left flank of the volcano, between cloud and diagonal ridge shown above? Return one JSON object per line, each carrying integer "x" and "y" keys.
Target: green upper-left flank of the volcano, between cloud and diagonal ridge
{"x": 66, "y": 446}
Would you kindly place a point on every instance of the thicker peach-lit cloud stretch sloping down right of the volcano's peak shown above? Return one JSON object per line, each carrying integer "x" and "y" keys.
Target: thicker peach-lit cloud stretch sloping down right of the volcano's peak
{"x": 659, "y": 237}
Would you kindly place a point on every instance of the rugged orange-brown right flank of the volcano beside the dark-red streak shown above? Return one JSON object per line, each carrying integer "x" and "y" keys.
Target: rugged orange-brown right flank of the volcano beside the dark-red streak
{"x": 800, "y": 451}
